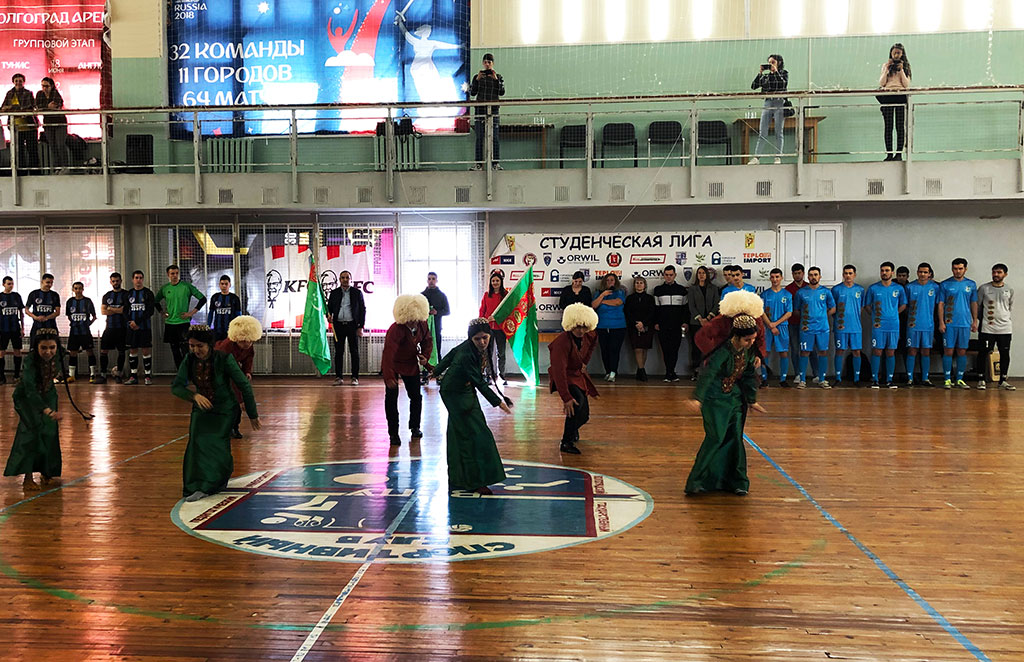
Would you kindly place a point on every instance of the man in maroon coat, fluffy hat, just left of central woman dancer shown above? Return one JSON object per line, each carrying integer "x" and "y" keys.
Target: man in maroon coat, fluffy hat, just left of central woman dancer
{"x": 407, "y": 347}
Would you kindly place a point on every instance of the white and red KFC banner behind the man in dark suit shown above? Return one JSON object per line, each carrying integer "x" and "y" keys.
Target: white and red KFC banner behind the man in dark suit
{"x": 288, "y": 276}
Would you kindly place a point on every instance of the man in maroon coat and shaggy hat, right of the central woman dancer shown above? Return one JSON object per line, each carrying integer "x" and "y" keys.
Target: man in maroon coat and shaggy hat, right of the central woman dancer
{"x": 571, "y": 353}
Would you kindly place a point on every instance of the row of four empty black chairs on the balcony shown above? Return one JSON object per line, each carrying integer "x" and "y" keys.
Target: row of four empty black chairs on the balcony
{"x": 618, "y": 135}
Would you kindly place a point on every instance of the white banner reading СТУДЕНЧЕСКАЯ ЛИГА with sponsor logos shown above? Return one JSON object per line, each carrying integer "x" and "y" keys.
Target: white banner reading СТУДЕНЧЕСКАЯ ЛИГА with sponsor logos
{"x": 557, "y": 258}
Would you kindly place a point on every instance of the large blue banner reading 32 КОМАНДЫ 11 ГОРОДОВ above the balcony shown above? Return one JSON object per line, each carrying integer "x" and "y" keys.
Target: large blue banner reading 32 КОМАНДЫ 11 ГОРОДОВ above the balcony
{"x": 252, "y": 53}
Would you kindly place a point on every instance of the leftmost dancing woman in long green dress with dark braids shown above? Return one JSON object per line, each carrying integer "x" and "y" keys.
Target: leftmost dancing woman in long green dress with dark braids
{"x": 37, "y": 445}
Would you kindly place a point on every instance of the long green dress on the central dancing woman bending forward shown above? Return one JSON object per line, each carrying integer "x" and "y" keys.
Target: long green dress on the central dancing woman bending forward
{"x": 473, "y": 456}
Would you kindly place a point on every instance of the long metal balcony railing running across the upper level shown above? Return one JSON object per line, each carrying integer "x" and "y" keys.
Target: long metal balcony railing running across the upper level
{"x": 688, "y": 133}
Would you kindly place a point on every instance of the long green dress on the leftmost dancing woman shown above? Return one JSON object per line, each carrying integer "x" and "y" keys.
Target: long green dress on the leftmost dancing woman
{"x": 37, "y": 445}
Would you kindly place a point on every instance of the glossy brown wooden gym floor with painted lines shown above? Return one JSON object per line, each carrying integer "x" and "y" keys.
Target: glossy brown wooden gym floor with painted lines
{"x": 880, "y": 526}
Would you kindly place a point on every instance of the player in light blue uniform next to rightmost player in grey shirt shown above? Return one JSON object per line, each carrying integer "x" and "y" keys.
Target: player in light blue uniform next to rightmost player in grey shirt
{"x": 958, "y": 319}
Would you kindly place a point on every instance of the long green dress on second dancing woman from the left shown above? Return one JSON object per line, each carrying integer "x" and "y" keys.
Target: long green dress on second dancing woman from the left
{"x": 208, "y": 463}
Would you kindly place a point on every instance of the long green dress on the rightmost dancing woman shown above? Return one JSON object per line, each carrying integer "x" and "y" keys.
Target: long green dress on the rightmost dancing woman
{"x": 727, "y": 388}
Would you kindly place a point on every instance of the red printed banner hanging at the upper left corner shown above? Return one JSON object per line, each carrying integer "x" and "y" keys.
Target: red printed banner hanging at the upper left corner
{"x": 61, "y": 39}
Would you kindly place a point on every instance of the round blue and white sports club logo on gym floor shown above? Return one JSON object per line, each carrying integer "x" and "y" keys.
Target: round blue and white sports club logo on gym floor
{"x": 401, "y": 511}
